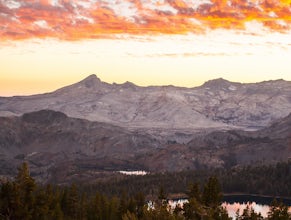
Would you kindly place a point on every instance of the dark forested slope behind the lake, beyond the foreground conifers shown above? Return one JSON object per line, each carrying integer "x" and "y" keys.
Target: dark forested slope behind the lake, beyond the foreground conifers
{"x": 268, "y": 180}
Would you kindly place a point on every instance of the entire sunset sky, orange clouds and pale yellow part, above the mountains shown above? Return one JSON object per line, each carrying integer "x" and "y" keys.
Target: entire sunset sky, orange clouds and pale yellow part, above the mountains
{"x": 47, "y": 44}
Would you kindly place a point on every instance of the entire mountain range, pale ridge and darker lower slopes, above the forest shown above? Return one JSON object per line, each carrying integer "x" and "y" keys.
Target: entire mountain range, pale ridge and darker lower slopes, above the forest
{"x": 83, "y": 131}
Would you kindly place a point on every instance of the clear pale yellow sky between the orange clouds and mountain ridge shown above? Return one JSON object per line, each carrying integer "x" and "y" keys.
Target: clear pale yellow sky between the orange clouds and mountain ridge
{"x": 36, "y": 66}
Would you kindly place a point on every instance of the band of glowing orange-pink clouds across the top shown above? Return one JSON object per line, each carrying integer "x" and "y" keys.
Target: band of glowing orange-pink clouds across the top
{"x": 89, "y": 19}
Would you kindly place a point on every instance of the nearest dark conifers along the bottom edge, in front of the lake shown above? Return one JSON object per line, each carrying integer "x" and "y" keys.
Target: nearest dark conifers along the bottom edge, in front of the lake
{"x": 25, "y": 199}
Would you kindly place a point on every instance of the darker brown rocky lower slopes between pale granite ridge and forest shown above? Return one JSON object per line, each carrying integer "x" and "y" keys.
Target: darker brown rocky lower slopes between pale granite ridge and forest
{"x": 60, "y": 149}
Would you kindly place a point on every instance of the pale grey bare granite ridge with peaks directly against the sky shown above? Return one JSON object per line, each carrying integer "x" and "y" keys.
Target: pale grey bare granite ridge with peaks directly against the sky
{"x": 216, "y": 104}
